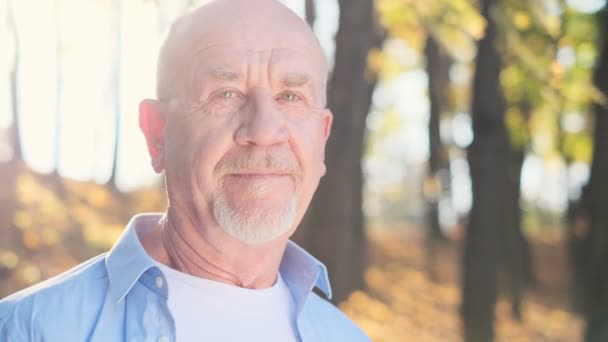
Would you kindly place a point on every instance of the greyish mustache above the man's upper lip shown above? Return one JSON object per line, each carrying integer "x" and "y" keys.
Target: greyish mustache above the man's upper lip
{"x": 244, "y": 161}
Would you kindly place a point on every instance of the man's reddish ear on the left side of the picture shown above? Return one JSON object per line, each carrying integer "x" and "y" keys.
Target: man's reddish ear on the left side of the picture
{"x": 152, "y": 124}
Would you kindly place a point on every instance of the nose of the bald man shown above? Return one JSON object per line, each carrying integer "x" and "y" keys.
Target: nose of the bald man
{"x": 263, "y": 123}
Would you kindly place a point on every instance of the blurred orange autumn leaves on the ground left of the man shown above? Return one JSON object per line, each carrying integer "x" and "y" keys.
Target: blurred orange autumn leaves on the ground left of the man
{"x": 54, "y": 232}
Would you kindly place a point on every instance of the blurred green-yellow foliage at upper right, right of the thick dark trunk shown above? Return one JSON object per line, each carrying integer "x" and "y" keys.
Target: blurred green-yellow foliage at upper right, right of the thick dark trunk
{"x": 548, "y": 52}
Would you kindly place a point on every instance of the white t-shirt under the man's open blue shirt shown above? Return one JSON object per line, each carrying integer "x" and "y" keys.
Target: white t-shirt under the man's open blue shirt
{"x": 207, "y": 310}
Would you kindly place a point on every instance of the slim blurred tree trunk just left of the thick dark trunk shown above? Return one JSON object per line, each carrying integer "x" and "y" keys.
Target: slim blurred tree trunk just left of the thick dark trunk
{"x": 437, "y": 66}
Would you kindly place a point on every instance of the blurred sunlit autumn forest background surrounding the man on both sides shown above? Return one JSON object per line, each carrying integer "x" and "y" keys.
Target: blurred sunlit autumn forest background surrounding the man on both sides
{"x": 466, "y": 197}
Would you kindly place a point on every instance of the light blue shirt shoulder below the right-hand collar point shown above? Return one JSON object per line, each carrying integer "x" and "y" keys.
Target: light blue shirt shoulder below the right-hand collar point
{"x": 329, "y": 321}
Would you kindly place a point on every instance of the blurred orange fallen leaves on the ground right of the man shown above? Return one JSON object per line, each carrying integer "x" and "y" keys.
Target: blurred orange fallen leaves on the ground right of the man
{"x": 403, "y": 304}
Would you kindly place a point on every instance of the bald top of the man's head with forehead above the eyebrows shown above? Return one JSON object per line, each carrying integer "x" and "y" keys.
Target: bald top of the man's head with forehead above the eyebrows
{"x": 232, "y": 34}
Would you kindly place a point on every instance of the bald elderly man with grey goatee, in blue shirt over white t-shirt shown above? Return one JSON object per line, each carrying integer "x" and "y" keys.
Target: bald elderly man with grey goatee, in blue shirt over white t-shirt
{"x": 239, "y": 128}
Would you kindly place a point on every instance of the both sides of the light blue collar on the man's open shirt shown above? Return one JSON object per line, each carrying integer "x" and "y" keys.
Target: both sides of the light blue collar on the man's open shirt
{"x": 128, "y": 260}
